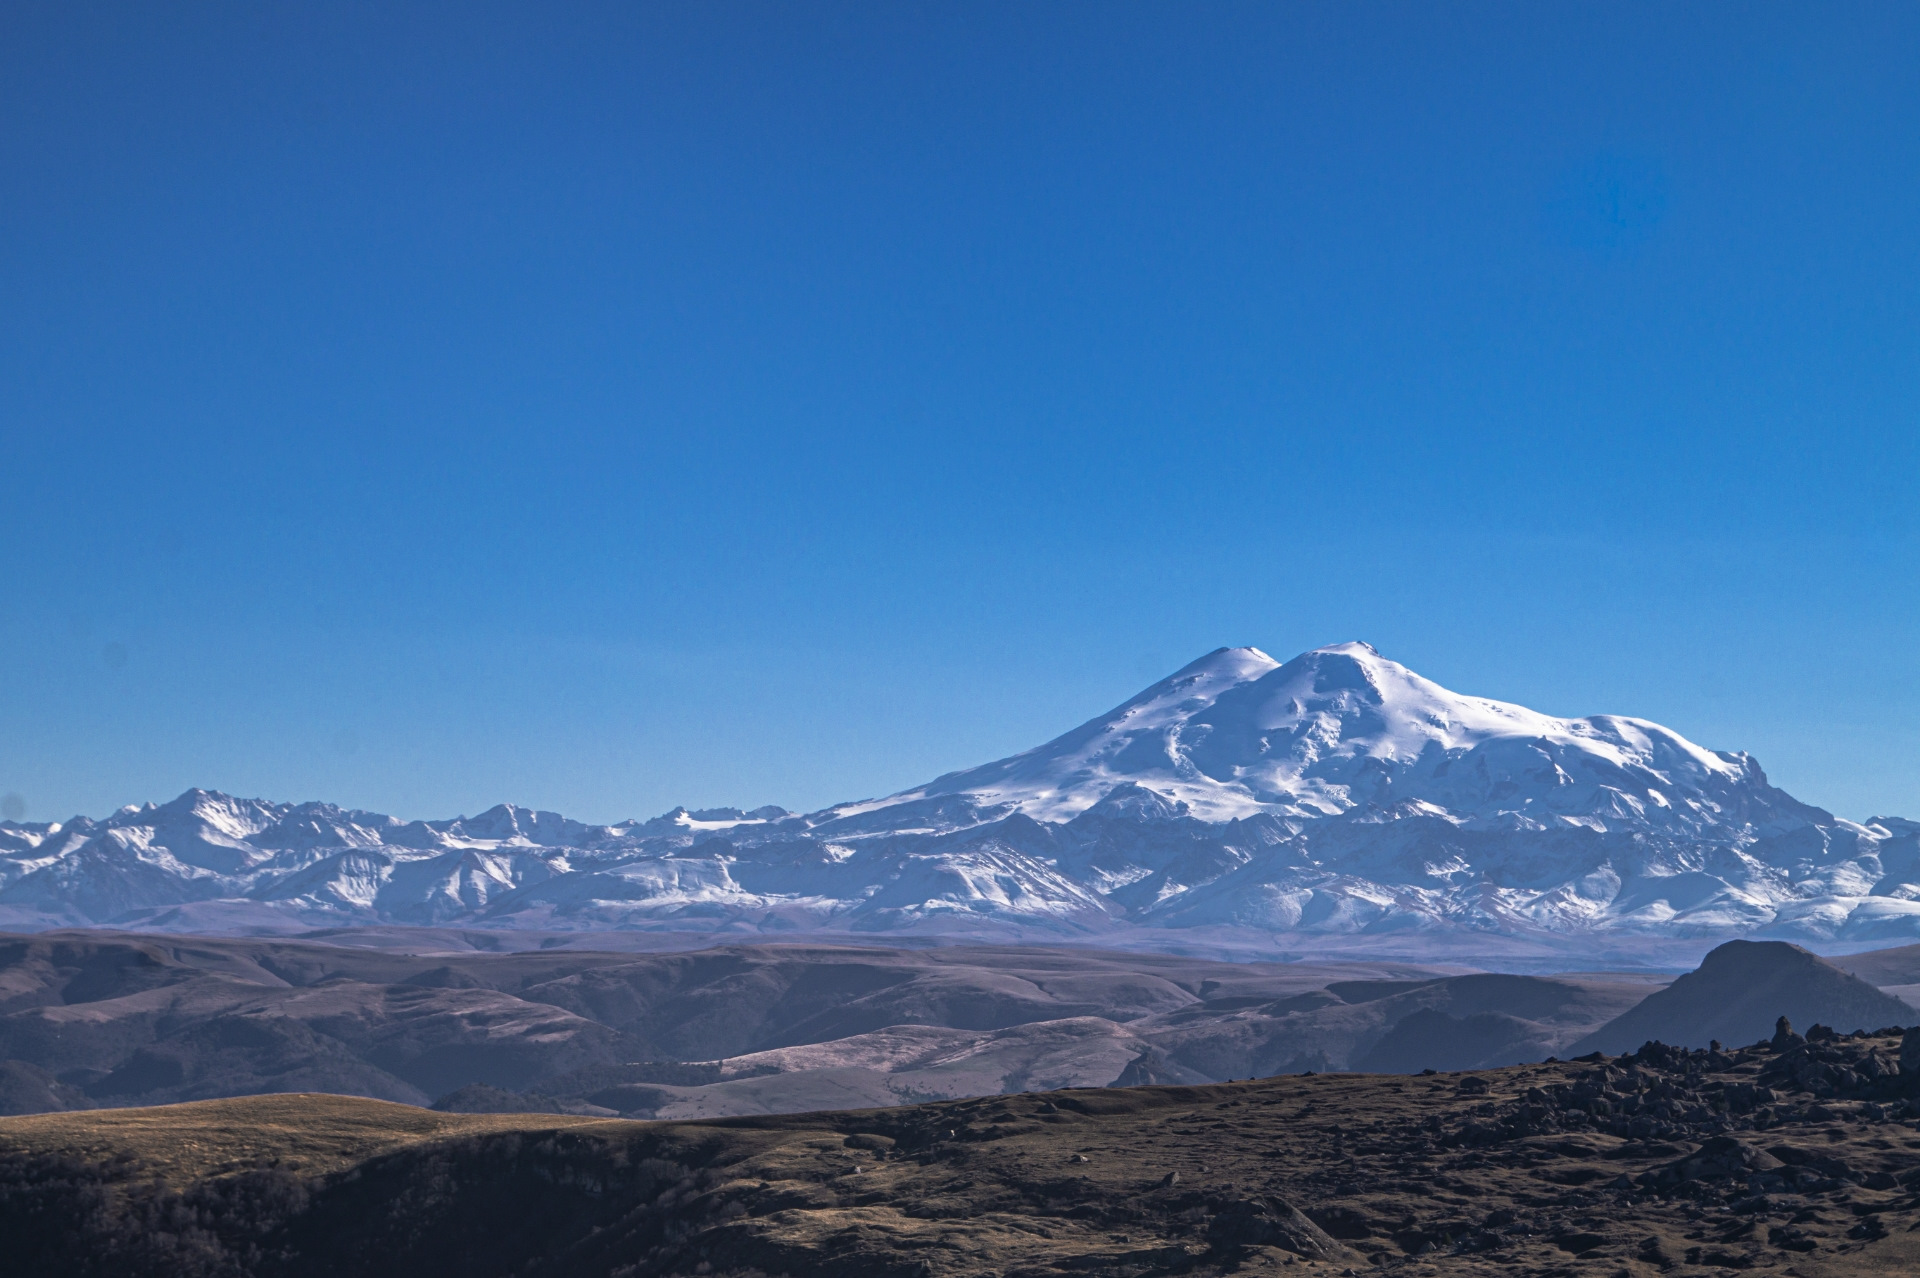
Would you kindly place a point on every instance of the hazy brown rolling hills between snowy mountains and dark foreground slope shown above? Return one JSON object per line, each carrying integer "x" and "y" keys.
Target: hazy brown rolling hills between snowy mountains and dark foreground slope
{"x": 95, "y": 1020}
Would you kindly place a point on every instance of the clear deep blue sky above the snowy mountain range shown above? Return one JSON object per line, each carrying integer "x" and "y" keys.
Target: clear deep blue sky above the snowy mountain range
{"x": 604, "y": 408}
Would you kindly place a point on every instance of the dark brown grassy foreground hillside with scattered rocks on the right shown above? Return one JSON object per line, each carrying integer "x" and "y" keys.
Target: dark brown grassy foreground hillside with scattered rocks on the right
{"x": 1669, "y": 1162}
